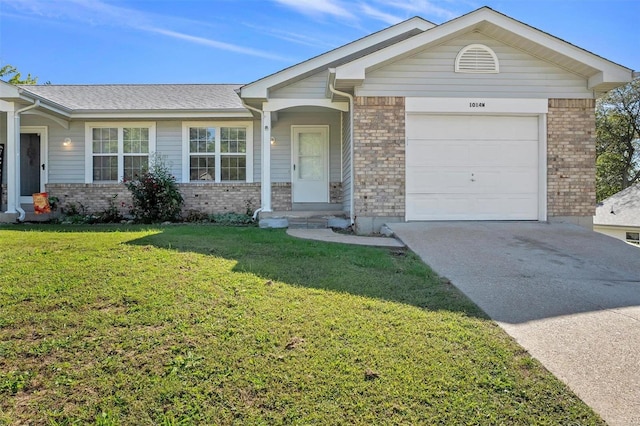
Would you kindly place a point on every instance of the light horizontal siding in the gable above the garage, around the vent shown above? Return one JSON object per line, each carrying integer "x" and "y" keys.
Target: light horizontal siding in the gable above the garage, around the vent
{"x": 430, "y": 73}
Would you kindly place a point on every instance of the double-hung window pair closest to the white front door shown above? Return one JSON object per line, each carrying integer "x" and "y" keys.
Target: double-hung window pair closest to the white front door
{"x": 217, "y": 152}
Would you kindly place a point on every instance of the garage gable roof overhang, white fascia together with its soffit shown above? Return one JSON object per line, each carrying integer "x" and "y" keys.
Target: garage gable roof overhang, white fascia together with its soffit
{"x": 602, "y": 74}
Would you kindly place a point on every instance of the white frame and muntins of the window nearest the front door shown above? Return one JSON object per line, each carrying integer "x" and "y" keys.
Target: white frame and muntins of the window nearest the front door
{"x": 217, "y": 154}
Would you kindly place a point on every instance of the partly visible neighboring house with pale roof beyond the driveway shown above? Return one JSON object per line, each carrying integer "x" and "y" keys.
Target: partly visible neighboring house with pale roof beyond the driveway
{"x": 619, "y": 215}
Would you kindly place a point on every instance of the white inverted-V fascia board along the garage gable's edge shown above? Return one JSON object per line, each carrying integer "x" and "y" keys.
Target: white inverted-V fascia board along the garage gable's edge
{"x": 356, "y": 69}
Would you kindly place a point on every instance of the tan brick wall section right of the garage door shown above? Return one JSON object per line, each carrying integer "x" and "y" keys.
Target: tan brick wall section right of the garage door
{"x": 571, "y": 153}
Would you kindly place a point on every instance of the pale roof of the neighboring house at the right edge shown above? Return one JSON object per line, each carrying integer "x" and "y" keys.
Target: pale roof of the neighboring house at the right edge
{"x": 621, "y": 209}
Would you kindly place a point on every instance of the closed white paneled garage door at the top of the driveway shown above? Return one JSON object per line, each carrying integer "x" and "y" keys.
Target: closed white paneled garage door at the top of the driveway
{"x": 476, "y": 167}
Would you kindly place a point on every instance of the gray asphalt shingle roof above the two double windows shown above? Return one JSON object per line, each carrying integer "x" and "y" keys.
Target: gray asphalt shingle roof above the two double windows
{"x": 127, "y": 97}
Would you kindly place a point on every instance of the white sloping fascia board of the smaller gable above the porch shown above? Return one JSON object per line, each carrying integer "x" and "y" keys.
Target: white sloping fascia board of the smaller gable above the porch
{"x": 259, "y": 89}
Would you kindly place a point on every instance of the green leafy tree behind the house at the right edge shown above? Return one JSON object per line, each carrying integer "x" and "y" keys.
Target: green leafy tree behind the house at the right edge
{"x": 618, "y": 140}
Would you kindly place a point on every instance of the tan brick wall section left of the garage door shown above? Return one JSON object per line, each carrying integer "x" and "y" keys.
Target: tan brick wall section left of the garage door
{"x": 379, "y": 156}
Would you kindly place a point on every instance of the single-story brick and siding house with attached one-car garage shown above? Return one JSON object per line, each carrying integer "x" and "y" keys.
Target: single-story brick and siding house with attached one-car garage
{"x": 480, "y": 118}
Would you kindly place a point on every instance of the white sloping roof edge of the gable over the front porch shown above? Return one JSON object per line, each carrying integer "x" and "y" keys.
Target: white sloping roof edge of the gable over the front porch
{"x": 361, "y": 47}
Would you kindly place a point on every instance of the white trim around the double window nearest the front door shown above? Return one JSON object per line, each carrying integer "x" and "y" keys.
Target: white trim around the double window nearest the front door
{"x": 217, "y": 125}
